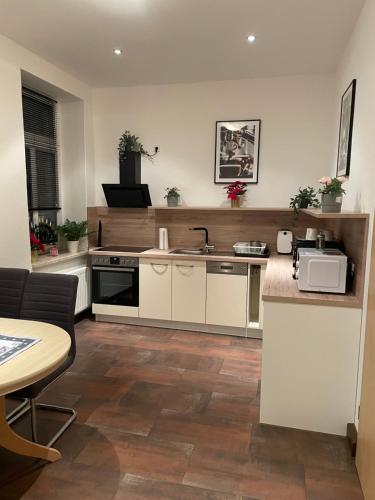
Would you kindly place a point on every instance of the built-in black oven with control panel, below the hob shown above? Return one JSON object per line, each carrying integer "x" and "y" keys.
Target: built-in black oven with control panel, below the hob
{"x": 115, "y": 280}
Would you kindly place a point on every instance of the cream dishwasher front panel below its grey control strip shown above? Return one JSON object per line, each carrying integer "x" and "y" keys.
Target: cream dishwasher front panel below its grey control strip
{"x": 226, "y": 300}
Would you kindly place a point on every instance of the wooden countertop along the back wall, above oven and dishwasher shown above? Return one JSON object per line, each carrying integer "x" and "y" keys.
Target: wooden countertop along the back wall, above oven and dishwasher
{"x": 156, "y": 253}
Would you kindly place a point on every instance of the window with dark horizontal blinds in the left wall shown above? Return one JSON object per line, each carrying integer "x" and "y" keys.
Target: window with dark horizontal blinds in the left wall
{"x": 39, "y": 121}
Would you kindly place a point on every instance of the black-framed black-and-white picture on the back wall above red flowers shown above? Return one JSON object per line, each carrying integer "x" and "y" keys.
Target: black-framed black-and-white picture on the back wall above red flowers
{"x": 237, "y": 151}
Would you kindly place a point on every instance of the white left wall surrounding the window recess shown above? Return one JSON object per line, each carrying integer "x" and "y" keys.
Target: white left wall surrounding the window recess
{"x": 17, "y": 64}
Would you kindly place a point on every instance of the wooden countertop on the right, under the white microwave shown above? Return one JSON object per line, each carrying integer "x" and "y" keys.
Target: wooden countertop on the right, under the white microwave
{"x": 279, "y": 286}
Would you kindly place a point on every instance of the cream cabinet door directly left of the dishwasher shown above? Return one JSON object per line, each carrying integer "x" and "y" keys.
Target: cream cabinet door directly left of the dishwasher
{"x": 189, "y": 291}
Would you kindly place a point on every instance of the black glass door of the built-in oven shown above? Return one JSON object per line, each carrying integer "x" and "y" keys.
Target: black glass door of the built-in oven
{"x": 116, "y": 286}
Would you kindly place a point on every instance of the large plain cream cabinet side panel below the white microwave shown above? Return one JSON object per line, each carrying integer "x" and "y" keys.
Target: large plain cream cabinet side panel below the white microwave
{"x": 309, "y": 366}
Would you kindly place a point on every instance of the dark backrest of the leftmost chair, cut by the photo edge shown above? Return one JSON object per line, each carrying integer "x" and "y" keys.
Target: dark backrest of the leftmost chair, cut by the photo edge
{"x": 12, "y": 284}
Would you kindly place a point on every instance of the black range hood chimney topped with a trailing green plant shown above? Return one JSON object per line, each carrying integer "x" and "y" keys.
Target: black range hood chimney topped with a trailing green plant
{"x": 130, "y": 152}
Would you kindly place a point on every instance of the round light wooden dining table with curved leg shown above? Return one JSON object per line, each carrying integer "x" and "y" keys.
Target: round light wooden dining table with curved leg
{"x": 28, "y": 367}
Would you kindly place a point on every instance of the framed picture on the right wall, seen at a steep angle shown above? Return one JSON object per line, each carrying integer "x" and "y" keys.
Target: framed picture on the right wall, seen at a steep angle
{"x": 346, "y": 130}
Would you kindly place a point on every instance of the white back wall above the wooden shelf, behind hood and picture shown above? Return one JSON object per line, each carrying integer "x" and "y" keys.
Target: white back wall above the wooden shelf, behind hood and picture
{"x": 296, "y": 137}
